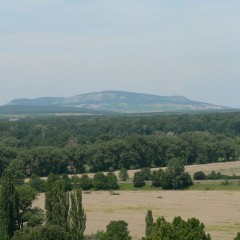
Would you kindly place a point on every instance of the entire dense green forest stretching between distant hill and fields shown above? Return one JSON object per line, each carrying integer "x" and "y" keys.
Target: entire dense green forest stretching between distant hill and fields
{"x": 74, "y": 144}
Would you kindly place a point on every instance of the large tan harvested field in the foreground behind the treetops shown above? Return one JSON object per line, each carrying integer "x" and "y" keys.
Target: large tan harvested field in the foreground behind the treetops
{"x": 218, "y": 210}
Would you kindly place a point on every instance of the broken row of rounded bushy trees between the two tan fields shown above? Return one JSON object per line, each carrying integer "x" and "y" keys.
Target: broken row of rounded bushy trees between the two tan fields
{"x": 174, "y": 177}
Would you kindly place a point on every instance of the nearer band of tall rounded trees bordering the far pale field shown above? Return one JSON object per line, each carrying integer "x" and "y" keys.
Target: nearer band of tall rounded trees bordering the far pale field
{"x": 129, "y": 152}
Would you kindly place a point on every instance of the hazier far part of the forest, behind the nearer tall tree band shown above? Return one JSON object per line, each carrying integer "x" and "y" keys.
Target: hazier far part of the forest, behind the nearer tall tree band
{"x": 70, "y": 130}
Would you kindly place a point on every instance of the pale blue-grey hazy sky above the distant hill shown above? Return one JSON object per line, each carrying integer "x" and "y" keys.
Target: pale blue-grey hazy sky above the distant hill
{"x": 164, "y": 47}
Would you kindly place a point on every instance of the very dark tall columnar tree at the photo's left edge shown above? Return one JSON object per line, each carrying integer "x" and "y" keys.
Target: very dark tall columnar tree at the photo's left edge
{"x": 9, "y": 205}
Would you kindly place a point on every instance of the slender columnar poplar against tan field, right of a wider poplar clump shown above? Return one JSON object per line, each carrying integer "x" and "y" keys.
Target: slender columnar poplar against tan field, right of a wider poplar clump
{"x": 77, "y": 216}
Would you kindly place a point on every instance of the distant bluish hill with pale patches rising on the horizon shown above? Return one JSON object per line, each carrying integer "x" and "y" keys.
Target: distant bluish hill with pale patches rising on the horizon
{"x": 120, "y": 101}
